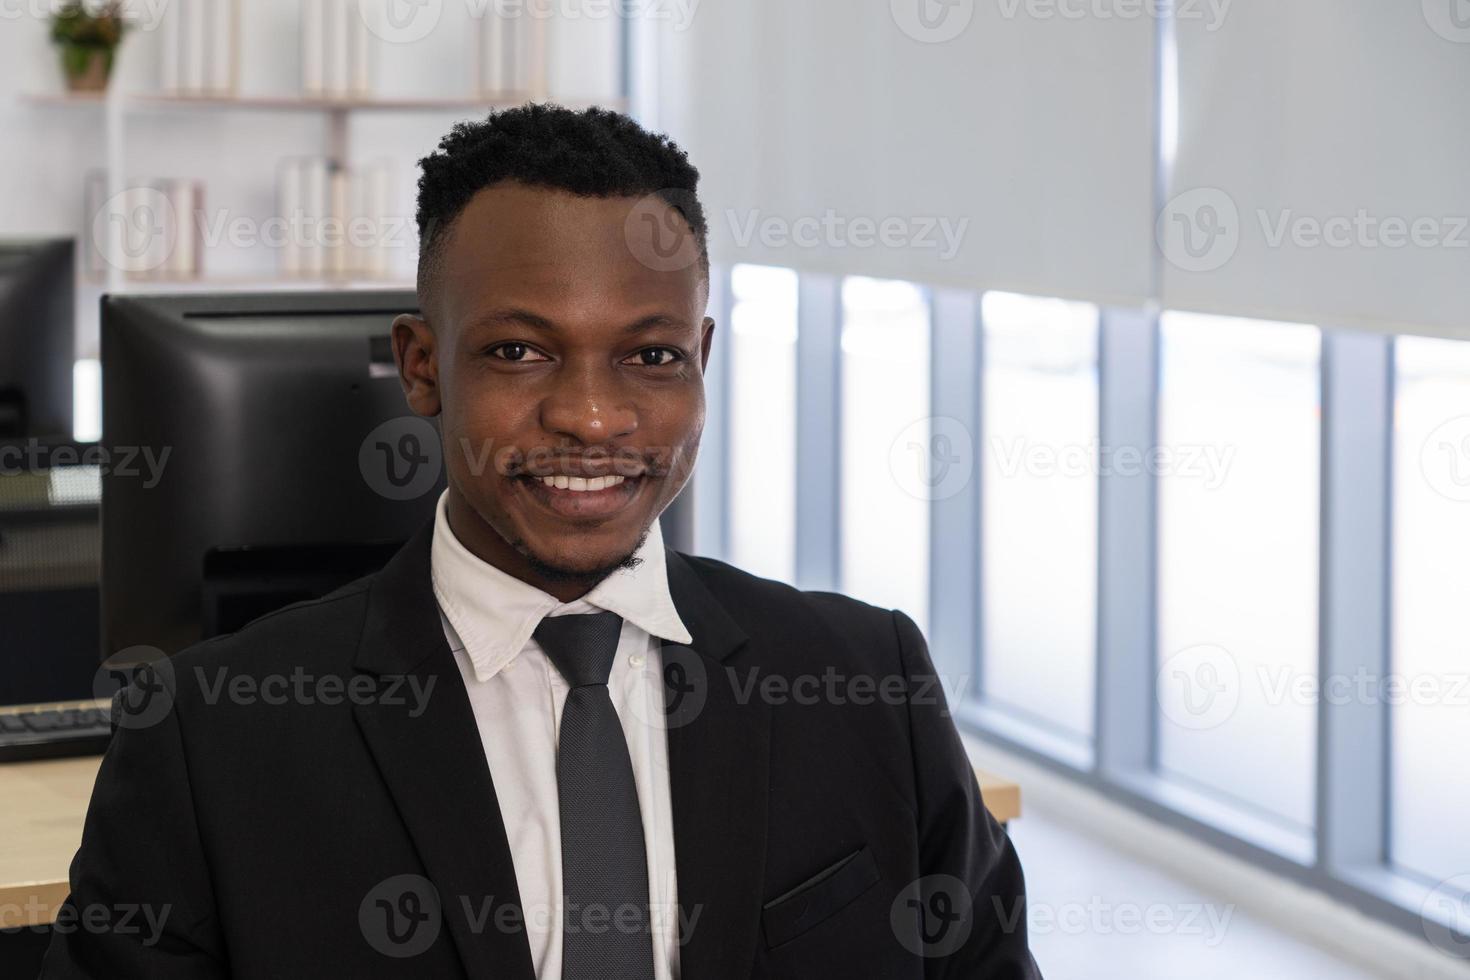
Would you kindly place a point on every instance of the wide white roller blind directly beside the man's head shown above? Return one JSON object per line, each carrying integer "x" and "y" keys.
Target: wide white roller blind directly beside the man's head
{"x": 849, "y": 139}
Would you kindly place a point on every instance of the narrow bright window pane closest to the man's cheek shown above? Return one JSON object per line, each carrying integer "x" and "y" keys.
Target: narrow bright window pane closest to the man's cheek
{"x": 764, "y": 421}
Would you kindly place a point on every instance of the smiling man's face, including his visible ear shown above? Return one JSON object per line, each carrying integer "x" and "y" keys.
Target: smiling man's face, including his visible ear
{"x": 553, "y": 350}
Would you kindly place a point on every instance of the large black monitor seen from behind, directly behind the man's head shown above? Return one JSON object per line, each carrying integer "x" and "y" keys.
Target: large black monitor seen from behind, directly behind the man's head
{"x": 292, "y": 466}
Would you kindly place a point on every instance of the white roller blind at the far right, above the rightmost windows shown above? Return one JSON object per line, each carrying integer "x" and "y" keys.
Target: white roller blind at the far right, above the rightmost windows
{"x": 1321, "y": 168}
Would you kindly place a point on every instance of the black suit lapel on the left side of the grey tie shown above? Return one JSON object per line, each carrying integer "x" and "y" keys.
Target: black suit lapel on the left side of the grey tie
{"x": 434, "y": 765}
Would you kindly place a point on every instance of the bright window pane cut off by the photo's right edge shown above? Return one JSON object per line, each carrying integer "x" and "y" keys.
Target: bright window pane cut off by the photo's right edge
{"x": 1431, "y": 519}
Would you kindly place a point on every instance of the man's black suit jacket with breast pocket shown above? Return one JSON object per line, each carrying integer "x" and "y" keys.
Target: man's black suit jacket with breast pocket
{"x": 309, "y": 799}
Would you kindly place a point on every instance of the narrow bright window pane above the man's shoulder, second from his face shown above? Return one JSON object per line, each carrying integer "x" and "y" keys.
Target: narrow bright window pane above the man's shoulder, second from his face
{"x": 886, "y": 446}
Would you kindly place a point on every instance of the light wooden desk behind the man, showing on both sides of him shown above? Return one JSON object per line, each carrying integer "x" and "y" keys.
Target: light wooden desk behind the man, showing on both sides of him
{"x": 46, "y": 803}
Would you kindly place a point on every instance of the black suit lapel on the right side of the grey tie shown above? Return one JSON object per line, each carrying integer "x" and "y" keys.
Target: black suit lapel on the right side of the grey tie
{"x": 720, "y": 747}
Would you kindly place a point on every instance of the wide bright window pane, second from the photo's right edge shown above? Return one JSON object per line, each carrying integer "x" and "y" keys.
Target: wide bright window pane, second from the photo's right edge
{"x": 1238, "y": 511}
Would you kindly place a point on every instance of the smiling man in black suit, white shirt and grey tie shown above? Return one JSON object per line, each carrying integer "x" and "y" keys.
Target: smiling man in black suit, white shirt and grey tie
{"x": 537, "y": 744}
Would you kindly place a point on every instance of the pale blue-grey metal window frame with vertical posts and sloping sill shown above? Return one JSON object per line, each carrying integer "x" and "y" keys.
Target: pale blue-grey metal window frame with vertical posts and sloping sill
{"x": 1347, "y": 857}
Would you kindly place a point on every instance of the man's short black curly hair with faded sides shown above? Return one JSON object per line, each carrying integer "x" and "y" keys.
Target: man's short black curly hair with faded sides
{"x": 590, "y": 154}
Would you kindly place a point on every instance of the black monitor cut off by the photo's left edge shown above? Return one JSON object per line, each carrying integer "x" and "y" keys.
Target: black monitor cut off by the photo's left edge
{"x": 37, "y": 337}
